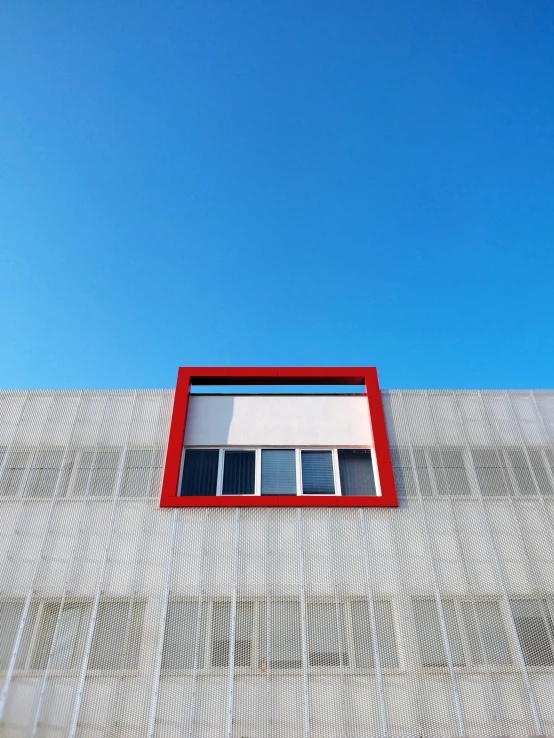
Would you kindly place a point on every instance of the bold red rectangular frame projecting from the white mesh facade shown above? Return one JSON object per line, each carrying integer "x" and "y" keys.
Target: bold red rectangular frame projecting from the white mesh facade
{"x": 366, "y": 376}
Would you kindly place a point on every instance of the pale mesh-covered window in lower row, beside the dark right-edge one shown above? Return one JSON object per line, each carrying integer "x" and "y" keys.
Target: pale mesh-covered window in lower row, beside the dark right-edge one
{"x": 475, "y": 630}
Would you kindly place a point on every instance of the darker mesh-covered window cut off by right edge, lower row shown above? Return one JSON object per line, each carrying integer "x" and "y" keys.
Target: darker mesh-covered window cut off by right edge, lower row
{"x": 534, "y": 627}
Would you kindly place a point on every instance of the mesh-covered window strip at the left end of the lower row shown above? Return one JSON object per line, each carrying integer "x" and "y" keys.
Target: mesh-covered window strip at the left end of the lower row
{"x": 54, "y": 635}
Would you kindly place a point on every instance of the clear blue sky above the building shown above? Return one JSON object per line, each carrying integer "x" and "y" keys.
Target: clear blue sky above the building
{"x": 277, "y": 183}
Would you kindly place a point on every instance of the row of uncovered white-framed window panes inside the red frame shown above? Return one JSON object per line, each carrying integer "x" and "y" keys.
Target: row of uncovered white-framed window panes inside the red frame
{"x": 288, "y": 472}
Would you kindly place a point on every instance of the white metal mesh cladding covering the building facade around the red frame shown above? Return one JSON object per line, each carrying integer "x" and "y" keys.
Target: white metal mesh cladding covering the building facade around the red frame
{"x": 118, "y": 618}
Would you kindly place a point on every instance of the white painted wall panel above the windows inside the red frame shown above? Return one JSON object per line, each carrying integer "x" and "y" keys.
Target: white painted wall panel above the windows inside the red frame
{"x": 284, "y": 420}
